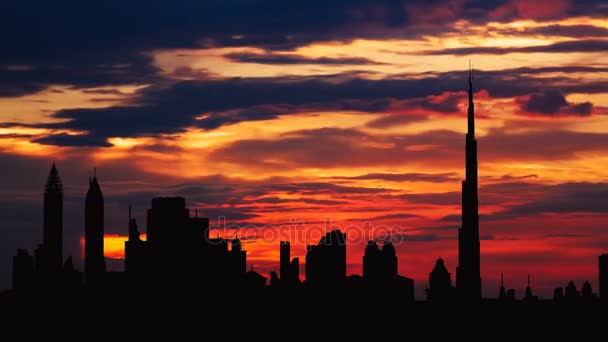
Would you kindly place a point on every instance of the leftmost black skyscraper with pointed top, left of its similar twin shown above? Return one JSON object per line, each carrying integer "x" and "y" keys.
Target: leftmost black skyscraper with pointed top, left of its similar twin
{"x": 50, "y": 252}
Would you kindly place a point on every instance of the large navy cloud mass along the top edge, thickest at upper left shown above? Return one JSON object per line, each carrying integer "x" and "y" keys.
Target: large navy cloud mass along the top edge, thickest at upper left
{"x": 108, "y": 42}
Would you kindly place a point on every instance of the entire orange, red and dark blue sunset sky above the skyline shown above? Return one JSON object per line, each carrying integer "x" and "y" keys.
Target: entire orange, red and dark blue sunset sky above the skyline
{"x": 283, "y": 119}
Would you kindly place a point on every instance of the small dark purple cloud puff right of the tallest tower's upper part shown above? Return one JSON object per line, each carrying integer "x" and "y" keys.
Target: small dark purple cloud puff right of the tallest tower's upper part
{"x": 553, "y": 102}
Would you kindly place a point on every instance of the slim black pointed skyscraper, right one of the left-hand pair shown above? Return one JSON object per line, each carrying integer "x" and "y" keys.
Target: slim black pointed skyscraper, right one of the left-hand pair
{"x": 94, "y": 263}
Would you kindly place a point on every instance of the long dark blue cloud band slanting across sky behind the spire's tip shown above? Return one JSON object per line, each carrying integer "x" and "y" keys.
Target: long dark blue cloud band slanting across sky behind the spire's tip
{"x": 172, "y": 108}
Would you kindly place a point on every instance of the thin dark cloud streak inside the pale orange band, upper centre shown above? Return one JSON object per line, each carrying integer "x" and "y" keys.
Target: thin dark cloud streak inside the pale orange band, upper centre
{"x": 290, "y": 59}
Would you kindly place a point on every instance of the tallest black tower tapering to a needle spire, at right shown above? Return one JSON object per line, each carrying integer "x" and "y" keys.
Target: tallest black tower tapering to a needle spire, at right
{"x": 468, "y": 275}
